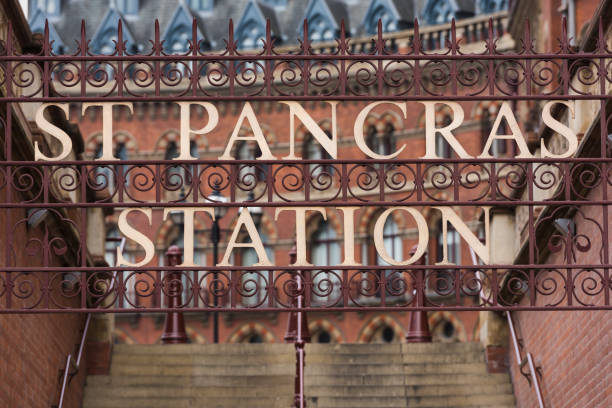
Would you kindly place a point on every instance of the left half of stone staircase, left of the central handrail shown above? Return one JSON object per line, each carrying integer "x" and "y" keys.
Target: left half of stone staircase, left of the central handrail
{"x": 195, "y": 375}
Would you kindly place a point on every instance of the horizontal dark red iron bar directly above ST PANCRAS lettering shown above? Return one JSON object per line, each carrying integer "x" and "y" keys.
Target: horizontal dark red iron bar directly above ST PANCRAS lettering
{"x": 298, "y": 98}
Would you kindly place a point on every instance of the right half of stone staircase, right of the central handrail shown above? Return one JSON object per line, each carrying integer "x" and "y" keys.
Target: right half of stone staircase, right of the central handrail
{"x": 403, "y": 375}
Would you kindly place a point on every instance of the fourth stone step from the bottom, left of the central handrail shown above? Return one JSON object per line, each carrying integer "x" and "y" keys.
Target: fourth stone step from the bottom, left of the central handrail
{"x": 189, "y": 370}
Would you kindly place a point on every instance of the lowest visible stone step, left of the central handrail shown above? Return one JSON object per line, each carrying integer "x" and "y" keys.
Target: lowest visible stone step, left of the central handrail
{"x": 236, "y": 402}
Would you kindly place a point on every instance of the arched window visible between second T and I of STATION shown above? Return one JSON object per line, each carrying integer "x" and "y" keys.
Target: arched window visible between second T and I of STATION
{"x": 325, "y": 252}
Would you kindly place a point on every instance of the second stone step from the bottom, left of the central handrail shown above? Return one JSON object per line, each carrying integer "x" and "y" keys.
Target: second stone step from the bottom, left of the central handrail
{"x": 179, "y": 392}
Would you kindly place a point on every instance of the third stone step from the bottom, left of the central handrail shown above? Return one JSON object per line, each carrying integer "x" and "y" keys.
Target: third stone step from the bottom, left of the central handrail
{"x": 211, "y": 380}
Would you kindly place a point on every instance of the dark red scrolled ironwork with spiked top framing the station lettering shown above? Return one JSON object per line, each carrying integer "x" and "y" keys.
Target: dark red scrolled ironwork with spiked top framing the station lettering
{"x": 312, "y": 73}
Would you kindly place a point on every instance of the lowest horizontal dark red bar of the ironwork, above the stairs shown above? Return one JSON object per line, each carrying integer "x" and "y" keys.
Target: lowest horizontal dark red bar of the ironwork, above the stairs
{"x": 312, "y": 309}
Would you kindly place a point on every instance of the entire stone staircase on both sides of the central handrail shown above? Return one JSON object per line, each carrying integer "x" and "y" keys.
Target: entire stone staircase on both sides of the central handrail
{"x": 261, "y": 375}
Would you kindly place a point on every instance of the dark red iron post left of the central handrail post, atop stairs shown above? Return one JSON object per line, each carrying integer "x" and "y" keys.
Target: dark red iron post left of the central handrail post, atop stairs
{"x": 174, "y": 324}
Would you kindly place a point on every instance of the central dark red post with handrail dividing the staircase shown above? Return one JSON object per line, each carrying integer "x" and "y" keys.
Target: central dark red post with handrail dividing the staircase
{"x": 298, "y": 333}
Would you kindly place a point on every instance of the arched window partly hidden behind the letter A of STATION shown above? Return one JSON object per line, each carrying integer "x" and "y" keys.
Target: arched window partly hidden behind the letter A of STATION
{"x": 254, "y": 283}
